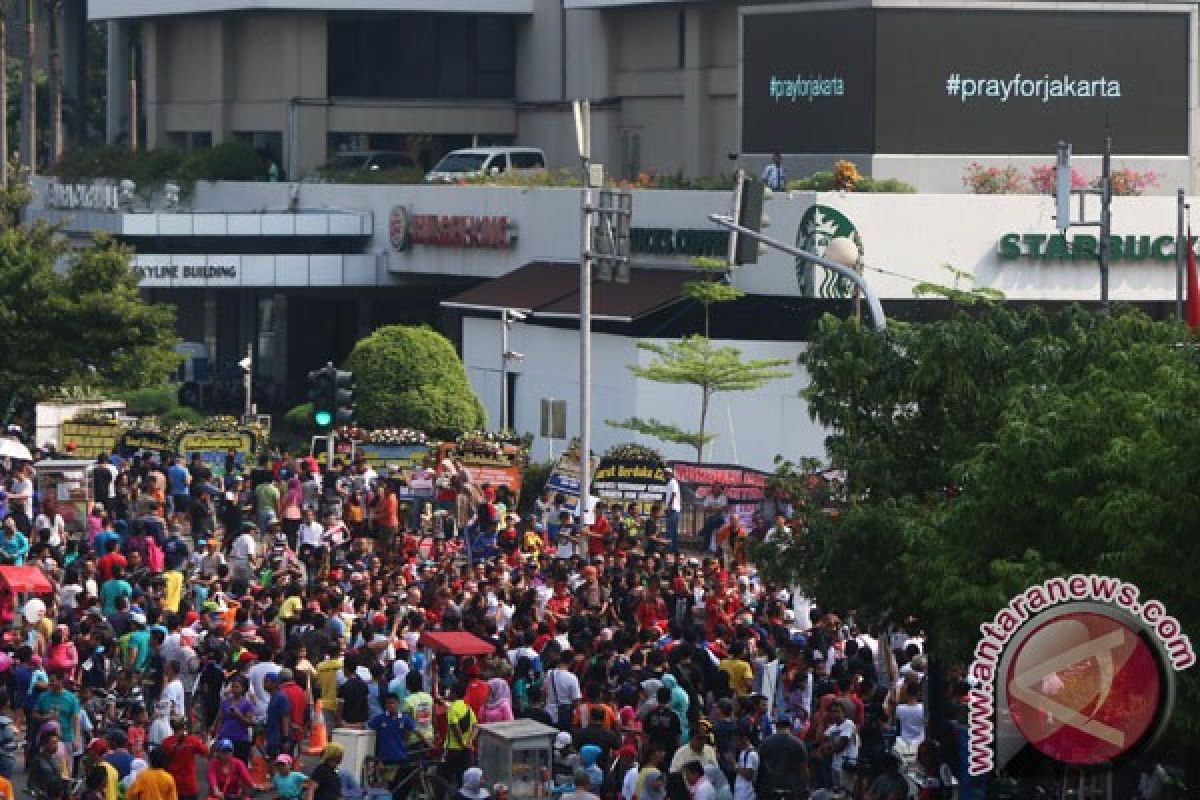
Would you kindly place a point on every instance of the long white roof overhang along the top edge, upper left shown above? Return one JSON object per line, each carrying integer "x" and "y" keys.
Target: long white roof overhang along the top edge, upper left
{"x": 140, "y": 9}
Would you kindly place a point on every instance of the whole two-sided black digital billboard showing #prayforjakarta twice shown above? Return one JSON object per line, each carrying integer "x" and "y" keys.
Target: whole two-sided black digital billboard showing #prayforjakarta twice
{"x": 970, "y": 82}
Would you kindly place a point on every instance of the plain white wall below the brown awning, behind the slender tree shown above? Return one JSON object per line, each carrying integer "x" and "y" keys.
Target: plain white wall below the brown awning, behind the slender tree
{"x": 753, "y": 428}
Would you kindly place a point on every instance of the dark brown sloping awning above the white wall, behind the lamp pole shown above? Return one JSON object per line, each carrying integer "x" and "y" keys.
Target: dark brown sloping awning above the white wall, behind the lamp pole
{"x": 553, "y": 291}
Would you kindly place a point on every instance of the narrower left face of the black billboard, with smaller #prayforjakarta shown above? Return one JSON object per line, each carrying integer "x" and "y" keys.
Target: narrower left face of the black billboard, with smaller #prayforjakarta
{"x": 808, "y": 82}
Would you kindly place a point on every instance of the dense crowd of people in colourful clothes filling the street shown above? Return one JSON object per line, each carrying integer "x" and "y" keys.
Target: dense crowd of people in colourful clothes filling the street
{"x": 218, "y": 619}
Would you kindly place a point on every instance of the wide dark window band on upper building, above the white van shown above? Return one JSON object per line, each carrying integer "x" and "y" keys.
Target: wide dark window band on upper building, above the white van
{"x": 422, "y": 56}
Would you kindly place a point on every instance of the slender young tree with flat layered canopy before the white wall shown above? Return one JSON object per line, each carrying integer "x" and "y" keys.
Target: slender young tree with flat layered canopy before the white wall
{"x": 697, "y": 362}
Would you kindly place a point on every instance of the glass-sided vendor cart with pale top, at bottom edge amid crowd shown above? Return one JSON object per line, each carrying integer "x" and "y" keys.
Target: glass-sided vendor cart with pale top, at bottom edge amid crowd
{"x": 518, "y": 754}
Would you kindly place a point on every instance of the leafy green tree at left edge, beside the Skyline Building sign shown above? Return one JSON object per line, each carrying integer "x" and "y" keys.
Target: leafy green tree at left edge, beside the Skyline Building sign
{"x": 86, "y": 326}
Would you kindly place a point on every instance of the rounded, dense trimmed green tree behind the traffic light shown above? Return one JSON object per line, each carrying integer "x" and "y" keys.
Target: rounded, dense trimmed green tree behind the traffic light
{"x": 412, "y": 377}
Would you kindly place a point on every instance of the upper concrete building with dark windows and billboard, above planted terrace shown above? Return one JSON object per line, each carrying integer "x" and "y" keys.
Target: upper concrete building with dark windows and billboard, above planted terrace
{"x": 677, "y": 88}
